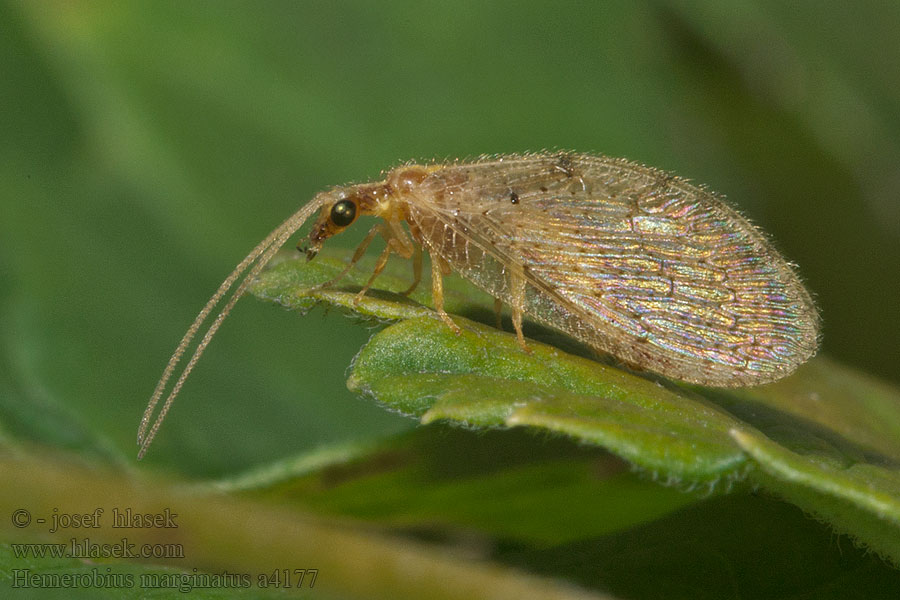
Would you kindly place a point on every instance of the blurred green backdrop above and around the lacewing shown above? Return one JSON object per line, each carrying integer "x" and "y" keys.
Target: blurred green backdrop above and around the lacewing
{"x": 147, "y": 146}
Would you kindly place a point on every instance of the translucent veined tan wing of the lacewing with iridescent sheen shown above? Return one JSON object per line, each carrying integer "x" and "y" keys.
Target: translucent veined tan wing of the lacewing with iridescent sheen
{"x": 632, "y": 261}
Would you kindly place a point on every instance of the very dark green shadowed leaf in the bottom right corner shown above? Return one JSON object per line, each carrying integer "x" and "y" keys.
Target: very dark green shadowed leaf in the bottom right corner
{"x": 735, "y": 546}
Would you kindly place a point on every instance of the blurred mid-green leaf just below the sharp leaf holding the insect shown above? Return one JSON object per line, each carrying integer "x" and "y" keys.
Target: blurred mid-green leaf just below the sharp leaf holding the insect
{"x": 509, "y": 485}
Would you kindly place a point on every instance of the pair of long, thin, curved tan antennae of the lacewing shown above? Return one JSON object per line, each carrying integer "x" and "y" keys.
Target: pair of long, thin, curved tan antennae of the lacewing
{"x": 260, "y": 255}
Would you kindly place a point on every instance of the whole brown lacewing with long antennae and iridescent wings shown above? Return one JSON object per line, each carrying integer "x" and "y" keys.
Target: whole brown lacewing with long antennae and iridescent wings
{"x": 632, "y": 261}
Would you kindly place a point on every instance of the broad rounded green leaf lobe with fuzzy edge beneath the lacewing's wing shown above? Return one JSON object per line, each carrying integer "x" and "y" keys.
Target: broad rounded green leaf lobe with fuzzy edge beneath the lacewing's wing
{"x": 483, "y": 378}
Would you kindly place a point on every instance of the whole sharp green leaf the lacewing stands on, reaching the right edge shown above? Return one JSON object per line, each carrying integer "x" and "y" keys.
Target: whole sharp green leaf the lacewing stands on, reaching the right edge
{"x": 834, "y": 417}
